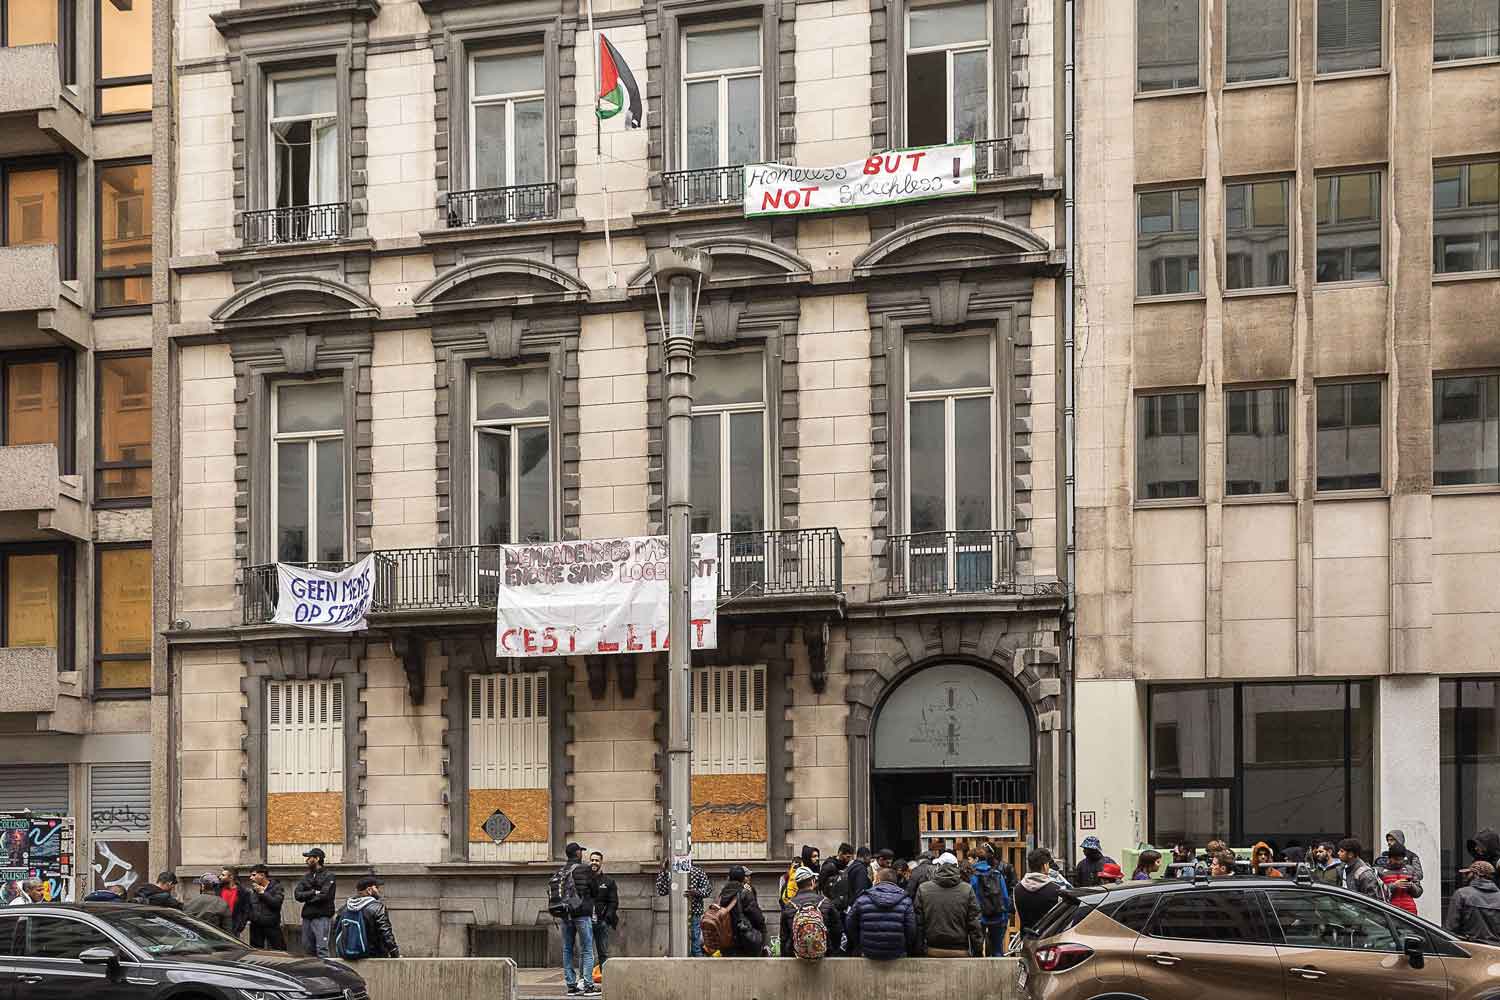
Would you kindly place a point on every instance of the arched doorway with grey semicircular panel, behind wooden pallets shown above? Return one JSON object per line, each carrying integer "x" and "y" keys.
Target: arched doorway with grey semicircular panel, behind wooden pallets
{"x": 947, "y": 734}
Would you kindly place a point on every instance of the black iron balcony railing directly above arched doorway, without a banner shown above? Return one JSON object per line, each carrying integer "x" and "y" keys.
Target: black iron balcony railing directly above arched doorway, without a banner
{"x": 961, "y": 563}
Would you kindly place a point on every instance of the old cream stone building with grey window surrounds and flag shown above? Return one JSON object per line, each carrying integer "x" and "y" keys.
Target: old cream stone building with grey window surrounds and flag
{"x": 410, "y": 316}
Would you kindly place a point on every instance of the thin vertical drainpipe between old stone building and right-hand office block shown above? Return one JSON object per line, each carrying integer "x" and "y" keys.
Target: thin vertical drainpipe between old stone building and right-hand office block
{"x": 1070, "y": 434}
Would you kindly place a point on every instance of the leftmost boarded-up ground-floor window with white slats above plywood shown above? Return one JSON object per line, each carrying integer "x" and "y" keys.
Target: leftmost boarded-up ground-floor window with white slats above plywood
{"x": 304, "y": 770}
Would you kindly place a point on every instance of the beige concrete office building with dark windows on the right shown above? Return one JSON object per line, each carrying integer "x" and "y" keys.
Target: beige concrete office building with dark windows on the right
{"x": 1288, "y": 353}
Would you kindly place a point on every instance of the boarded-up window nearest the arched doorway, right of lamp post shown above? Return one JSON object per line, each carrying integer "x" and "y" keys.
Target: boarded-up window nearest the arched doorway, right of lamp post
{"x": 730, "y": 777}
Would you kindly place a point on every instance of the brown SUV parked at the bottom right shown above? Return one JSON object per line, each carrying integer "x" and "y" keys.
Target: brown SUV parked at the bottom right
{"x": 1247, "y": 938}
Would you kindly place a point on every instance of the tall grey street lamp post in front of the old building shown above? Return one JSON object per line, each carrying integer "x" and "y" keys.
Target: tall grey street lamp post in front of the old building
{"x": 683, "y": 272}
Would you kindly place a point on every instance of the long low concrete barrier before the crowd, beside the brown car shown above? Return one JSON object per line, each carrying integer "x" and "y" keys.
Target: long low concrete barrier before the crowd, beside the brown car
{"x": 829, "y": 980}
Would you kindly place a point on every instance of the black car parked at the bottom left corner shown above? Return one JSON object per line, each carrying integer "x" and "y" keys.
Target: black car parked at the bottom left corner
{"x": 124, "y": 951}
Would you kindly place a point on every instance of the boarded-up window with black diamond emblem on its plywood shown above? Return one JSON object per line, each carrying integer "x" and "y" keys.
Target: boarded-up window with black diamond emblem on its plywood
{"x": 509, "y": 767}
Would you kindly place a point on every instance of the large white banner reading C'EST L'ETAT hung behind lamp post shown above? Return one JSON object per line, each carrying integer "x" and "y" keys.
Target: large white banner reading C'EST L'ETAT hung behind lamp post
{"x": 599, "y": 597}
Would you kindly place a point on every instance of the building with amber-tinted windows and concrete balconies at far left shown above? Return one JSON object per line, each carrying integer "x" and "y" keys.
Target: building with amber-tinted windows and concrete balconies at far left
{"x": 76, "y": 428}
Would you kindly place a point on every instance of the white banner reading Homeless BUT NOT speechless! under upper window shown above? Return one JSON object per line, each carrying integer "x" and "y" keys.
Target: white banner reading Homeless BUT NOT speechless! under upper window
{"x": 935, "y": 172}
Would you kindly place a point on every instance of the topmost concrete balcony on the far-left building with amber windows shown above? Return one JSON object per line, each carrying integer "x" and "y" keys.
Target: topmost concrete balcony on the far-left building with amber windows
{"x": 40, "y": 113}
